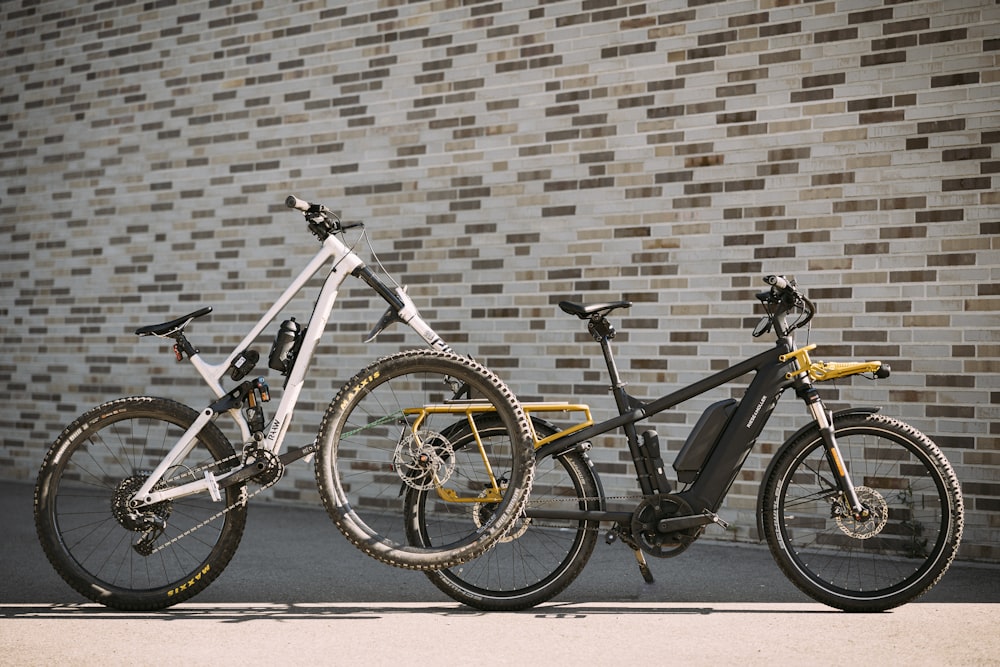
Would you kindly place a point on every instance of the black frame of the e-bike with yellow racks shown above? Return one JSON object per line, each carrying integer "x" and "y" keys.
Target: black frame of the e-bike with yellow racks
{"x": 719, "y": 471}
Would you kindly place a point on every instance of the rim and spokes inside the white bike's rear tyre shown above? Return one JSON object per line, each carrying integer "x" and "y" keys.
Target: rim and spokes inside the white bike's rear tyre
{"x": 95, "y": 533}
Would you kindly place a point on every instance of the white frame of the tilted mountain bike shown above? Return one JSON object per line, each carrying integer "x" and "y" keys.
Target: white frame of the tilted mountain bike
{"x": 345, "y": 263}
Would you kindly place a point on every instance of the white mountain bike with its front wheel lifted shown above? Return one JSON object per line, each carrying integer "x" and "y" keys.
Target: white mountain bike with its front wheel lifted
{"x": 141, "y": 502}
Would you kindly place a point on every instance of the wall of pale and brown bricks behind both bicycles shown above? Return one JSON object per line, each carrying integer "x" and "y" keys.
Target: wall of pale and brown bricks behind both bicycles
{"x": 507, "y": 155}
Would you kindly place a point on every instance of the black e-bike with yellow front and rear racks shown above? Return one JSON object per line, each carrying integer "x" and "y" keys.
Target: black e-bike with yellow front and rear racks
{"x": 861, "y": 511}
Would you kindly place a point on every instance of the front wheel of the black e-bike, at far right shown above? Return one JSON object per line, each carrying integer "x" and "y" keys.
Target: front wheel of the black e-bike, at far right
{"x": 896, "y": 554}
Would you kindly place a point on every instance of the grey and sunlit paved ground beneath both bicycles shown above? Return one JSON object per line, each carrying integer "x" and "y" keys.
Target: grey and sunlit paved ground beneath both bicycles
{"x": 297, "y": 592}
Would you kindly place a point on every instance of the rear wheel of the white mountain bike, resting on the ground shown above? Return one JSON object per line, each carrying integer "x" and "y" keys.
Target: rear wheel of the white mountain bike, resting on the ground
{"x": 135, "y": 560}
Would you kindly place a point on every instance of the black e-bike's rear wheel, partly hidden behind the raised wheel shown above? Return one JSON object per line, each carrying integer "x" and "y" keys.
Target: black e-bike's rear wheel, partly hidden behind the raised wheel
{"x": 536, "y": 560}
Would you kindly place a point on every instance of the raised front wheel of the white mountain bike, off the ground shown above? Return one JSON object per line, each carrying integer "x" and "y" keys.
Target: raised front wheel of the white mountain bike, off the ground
{"x": 386, "y": 432}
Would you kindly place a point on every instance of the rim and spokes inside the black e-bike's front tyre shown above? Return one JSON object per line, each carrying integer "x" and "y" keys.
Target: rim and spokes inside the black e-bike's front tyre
{"x": 867, "y": 560}
